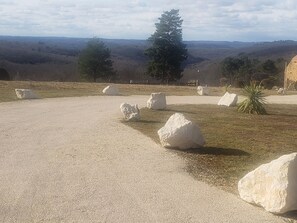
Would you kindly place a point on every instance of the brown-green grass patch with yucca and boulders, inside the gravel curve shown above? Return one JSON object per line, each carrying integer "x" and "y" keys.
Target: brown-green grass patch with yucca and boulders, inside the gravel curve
{"x": 236, "y": 143}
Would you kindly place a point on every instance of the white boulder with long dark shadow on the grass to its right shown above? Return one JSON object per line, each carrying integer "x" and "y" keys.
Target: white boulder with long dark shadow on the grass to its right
{"x": 181, "y": 133}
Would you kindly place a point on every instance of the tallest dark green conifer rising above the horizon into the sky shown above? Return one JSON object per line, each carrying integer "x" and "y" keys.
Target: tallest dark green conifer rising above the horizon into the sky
{"x": 167, "y": 51}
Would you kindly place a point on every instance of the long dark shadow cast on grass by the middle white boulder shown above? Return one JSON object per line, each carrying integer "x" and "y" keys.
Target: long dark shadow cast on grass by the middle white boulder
{"x": 217, "y": 151}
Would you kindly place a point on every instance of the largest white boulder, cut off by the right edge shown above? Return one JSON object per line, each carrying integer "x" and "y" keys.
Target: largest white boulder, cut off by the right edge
{"x": 272, "y": 185}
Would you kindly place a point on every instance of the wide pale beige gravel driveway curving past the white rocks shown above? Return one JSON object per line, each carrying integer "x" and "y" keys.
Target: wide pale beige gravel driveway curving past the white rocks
{"x": 71, "y": 160}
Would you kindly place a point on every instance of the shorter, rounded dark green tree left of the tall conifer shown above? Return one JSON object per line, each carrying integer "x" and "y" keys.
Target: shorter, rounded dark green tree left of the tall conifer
{"x": 94, "y": 61}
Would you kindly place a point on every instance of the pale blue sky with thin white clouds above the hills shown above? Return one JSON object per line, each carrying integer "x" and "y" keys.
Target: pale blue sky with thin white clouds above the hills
{"x": 227, "y": 20}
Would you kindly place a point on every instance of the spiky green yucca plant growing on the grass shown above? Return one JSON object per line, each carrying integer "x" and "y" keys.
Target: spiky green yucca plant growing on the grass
{"x": 255, "y": 101}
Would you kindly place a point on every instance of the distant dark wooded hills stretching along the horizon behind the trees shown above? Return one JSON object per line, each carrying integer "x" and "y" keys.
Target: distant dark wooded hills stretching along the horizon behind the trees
{"x": 55, "y": 59}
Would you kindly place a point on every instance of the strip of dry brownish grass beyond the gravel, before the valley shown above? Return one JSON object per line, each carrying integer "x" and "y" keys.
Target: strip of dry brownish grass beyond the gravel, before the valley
{"x": 74, "y": 89}
